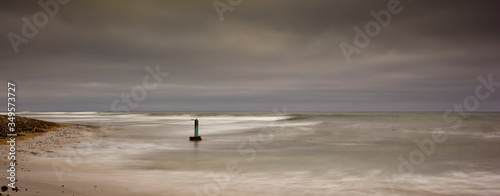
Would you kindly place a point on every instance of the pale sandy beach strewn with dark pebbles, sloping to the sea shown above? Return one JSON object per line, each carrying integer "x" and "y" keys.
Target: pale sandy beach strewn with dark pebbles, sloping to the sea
{"x": 56, "y": 161}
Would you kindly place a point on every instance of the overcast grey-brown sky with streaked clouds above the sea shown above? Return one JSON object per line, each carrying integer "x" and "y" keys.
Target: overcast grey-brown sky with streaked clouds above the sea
{"x": 263, "y": 55}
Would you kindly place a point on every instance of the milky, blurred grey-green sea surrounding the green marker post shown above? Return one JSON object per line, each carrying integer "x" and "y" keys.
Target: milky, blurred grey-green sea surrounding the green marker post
{"x": 299, "y": 154}
